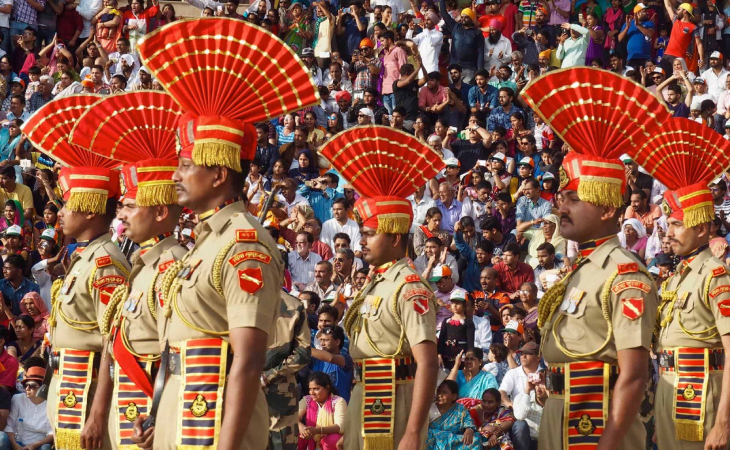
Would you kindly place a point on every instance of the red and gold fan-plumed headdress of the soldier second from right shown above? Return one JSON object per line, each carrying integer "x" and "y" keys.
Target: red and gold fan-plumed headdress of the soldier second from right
{"x": 600, "y": 115}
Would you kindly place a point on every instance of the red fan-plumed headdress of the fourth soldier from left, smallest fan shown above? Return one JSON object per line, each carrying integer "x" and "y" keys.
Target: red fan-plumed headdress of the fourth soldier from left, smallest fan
{"x": 385, "y": 166}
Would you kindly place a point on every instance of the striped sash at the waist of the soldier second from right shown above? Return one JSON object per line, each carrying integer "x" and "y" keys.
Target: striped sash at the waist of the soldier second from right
{"x": 586, "y": 404}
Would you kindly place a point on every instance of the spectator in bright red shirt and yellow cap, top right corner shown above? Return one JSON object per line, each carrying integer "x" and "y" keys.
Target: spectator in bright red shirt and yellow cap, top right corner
{"x": 685, "y": 34}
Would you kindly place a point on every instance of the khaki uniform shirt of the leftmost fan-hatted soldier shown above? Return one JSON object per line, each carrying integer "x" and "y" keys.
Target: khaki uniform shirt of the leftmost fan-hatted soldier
{"x": 86, "y": 291}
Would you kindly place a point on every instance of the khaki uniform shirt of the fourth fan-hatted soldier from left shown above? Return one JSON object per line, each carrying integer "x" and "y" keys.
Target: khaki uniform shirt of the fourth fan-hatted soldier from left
{"x": 415, "y": 304}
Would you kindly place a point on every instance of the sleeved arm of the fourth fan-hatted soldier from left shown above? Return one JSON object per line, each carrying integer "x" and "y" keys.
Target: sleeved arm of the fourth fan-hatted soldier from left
{"x": 418, "y": 313}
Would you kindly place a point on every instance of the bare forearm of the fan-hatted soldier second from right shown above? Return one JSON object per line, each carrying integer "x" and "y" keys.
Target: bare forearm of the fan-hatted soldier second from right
{"x": 627, "y": 396}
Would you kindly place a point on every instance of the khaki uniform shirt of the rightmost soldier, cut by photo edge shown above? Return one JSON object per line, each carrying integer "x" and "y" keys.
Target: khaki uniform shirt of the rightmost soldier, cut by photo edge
{"x": 698, "y": 307}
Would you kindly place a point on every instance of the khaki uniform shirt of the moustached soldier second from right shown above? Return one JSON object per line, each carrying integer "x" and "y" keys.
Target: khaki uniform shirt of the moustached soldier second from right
{"x": 632, "y": 309}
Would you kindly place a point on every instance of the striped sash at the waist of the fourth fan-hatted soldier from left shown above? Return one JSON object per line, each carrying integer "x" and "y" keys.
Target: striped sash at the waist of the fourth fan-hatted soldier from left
{"x": 378, "y": 384}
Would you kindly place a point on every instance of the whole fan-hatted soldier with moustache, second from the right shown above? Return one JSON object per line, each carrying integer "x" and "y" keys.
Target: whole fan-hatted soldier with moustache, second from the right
{"x": 596, "y": 322}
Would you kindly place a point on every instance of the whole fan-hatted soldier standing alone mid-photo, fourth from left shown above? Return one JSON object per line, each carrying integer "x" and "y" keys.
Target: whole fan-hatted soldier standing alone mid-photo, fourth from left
{"x": 392, "y": 320}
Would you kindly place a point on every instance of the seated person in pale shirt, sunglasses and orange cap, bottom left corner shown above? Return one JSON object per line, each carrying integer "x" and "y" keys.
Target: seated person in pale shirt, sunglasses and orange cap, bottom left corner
{"x": 25, "y": 427}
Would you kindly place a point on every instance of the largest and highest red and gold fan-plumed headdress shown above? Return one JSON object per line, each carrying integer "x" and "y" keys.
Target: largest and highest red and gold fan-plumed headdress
{"x": 227, "y": 74}
